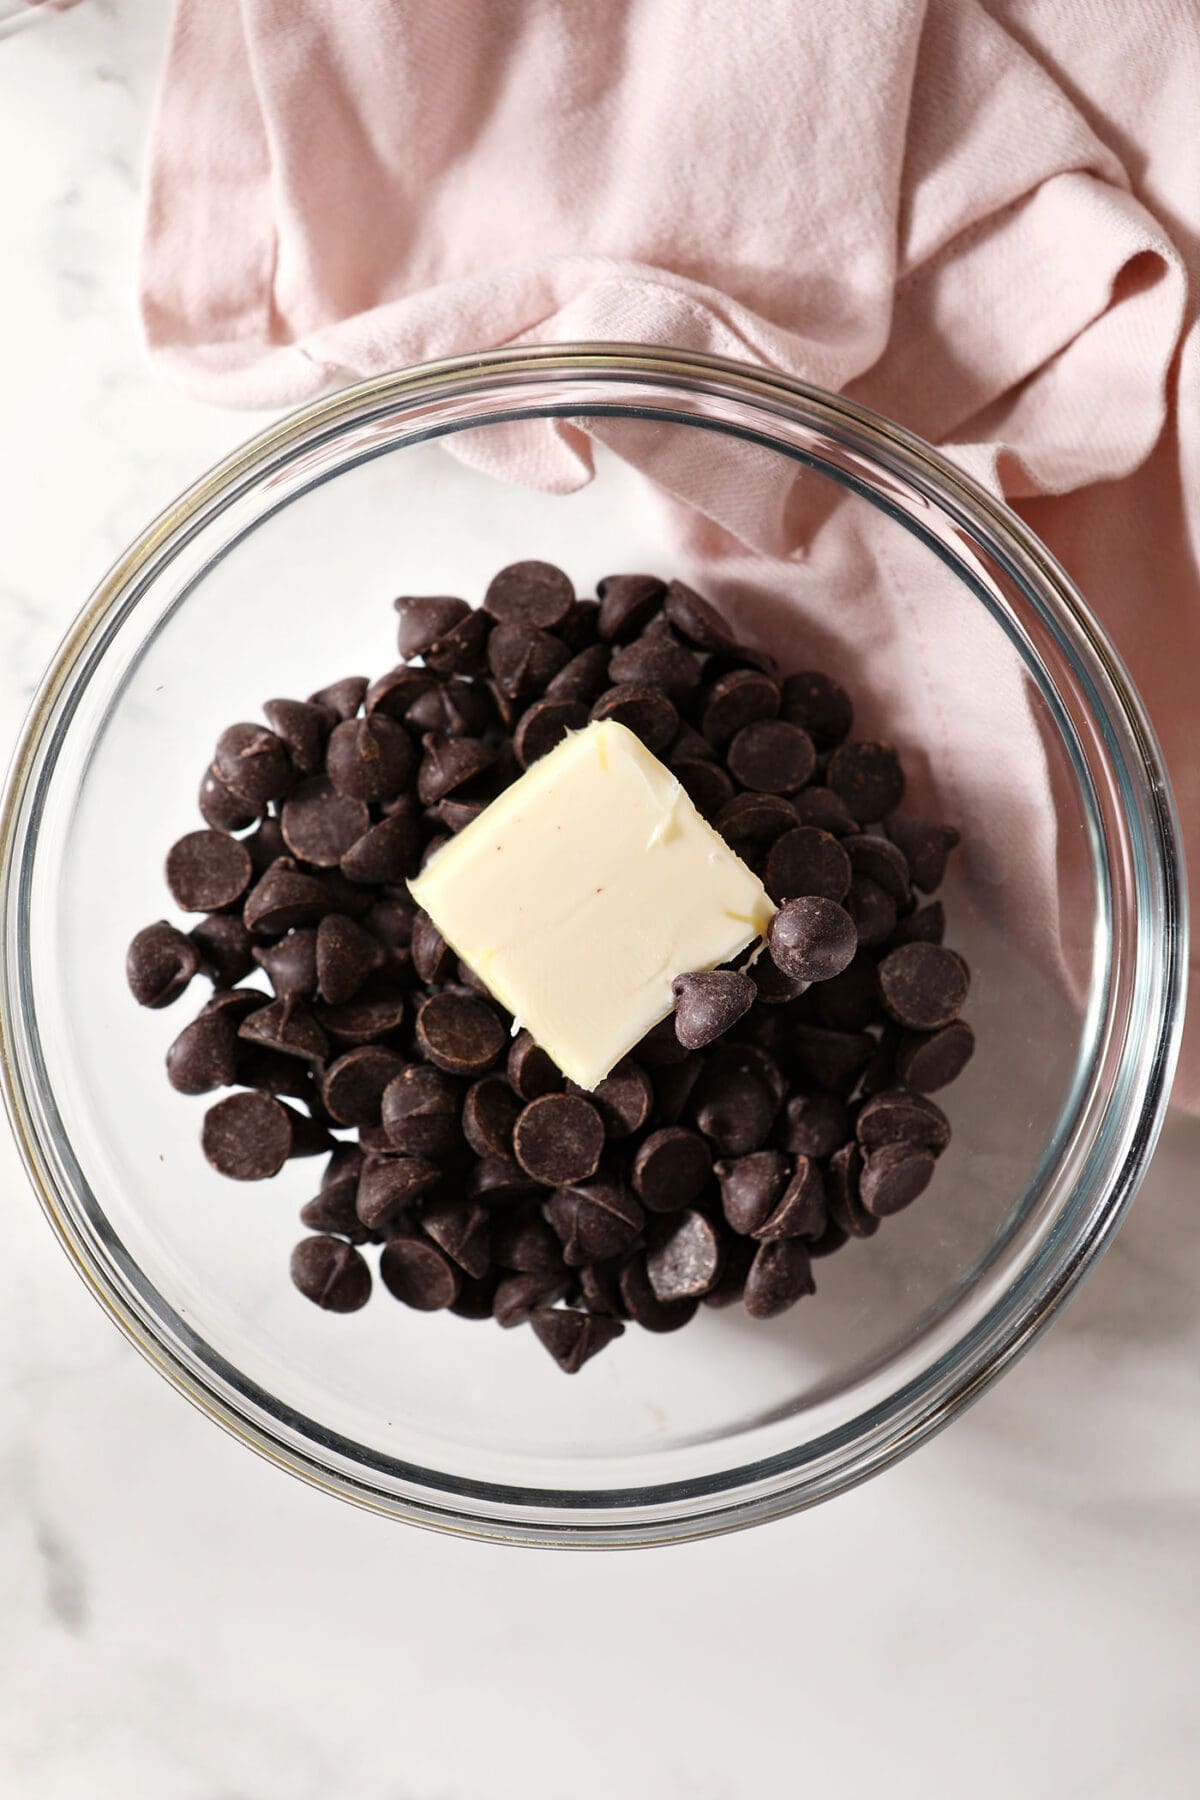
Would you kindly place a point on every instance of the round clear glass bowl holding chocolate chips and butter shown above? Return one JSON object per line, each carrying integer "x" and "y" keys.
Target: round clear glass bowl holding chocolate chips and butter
{"x": 274, "y": 575}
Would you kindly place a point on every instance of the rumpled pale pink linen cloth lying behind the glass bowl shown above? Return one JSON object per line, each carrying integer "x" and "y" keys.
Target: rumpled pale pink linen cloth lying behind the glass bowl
{"x": 978, "y": 217}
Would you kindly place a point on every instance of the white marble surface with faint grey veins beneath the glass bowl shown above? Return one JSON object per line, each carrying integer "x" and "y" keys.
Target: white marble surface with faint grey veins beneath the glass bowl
{"x": 1014, "y": 1612}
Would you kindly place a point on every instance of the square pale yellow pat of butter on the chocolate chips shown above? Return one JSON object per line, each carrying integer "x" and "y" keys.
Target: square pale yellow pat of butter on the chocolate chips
{"x": 586, "y": 890}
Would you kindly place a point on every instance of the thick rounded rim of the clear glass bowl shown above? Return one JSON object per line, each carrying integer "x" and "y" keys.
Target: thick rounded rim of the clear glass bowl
{"x": 758, "y": 1491}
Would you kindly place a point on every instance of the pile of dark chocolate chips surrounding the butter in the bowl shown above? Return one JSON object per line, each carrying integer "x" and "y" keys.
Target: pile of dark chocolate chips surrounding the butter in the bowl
{"x": 760, "y": 1128}
